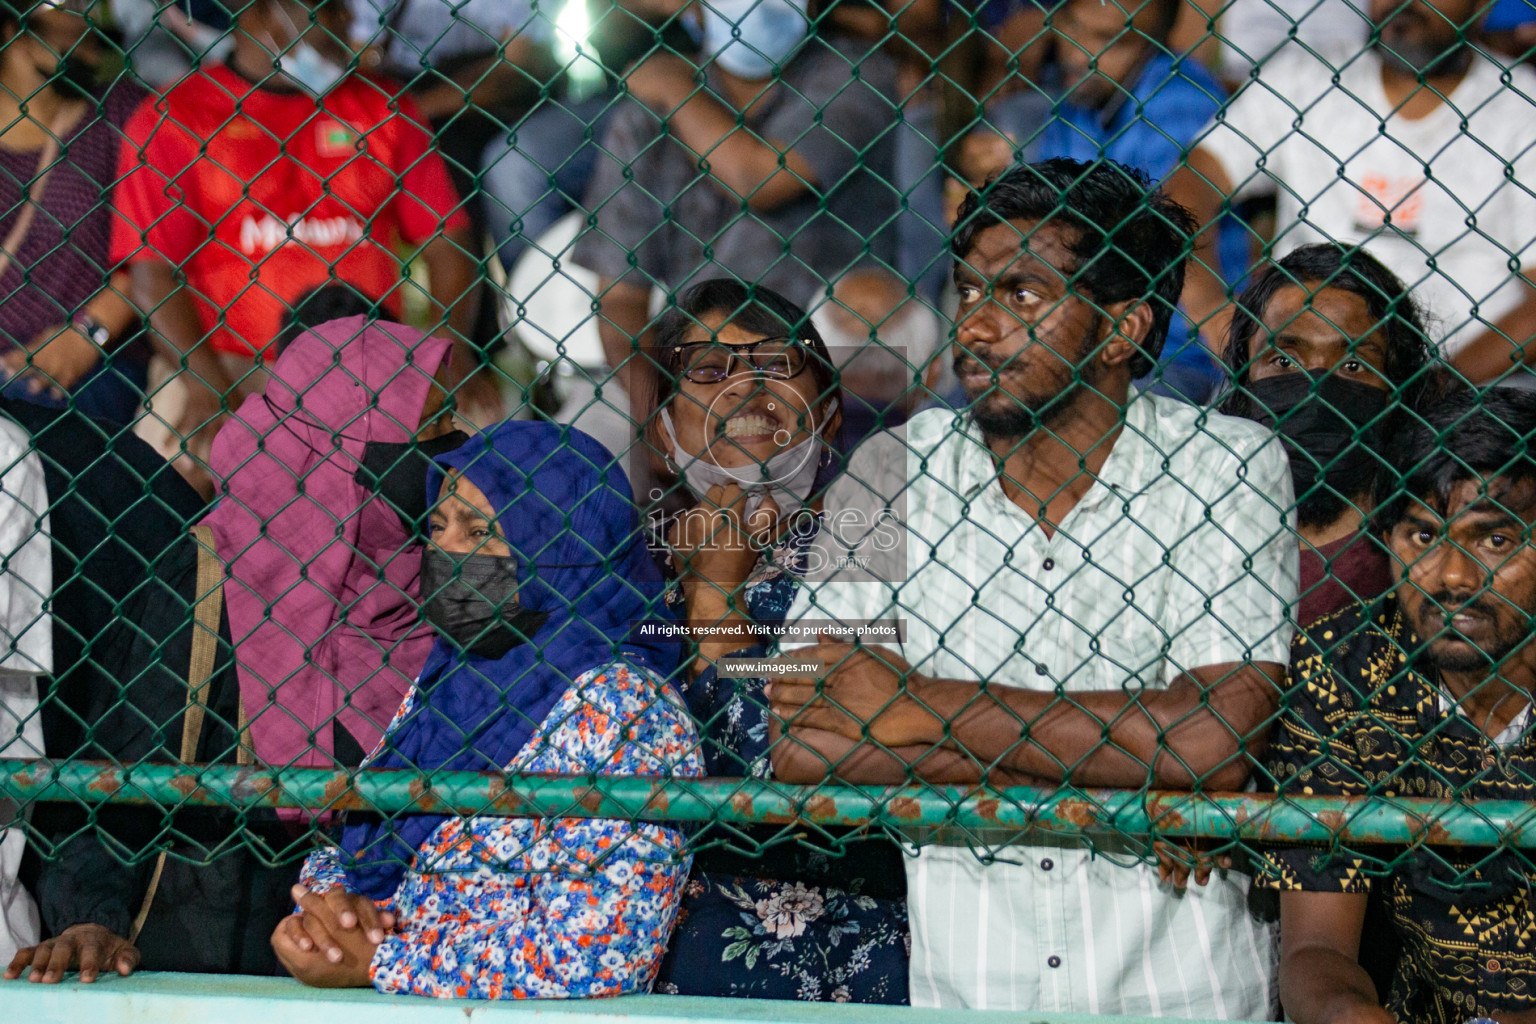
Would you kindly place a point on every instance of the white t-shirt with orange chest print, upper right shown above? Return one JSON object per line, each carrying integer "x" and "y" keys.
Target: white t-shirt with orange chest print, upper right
{"x": 1446, "y": 200}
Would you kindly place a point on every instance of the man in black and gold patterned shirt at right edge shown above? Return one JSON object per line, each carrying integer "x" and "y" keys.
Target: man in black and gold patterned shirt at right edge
{"x": 1426, "y": 693}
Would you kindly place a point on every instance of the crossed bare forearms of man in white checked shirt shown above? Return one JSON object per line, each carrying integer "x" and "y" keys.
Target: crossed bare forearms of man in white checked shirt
{"x": 875, "y": 721}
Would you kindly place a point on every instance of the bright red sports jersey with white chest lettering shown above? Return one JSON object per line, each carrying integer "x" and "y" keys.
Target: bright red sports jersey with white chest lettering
{"x": 262, "y": 196}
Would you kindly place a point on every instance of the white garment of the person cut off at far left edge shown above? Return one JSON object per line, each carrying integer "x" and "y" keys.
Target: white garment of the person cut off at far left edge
{"x": 27, "y": 652}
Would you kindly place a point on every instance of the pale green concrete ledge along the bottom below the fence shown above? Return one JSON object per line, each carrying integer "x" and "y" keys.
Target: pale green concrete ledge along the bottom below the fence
{"x": 165, "y": 999}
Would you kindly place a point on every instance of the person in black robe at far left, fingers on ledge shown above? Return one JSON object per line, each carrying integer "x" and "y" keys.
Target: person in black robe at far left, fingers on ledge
{"x": 125, "y": 572}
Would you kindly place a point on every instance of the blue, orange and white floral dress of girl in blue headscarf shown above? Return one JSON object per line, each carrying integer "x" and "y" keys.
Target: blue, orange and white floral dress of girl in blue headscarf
{"x": 548, "y": 908}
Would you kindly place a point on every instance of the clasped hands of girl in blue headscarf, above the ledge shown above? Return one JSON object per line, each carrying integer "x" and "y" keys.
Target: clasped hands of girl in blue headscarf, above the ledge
{"x": 329, "y": 945}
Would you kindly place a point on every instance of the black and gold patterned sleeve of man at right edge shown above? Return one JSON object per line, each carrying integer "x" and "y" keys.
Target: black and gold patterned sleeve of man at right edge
{"x": 1313, "y": 753}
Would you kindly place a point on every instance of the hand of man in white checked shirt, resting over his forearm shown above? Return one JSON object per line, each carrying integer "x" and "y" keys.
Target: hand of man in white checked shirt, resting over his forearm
{"x": 864, "y": 693}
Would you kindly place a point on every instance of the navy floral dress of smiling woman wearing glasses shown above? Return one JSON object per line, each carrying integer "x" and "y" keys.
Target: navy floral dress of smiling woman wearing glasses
{"x": 790, "y": 913}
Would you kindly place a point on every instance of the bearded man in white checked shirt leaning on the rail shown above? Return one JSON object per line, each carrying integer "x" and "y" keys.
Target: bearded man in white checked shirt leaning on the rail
{"x": 1094, "y": 587}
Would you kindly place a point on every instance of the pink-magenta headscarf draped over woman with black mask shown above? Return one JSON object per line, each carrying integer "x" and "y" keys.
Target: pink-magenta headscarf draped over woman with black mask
{"x": 322, "y": 578}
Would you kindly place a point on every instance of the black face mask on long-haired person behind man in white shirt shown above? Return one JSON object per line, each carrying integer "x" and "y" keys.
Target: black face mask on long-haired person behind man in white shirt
{"x": 1331, "y": 428}
